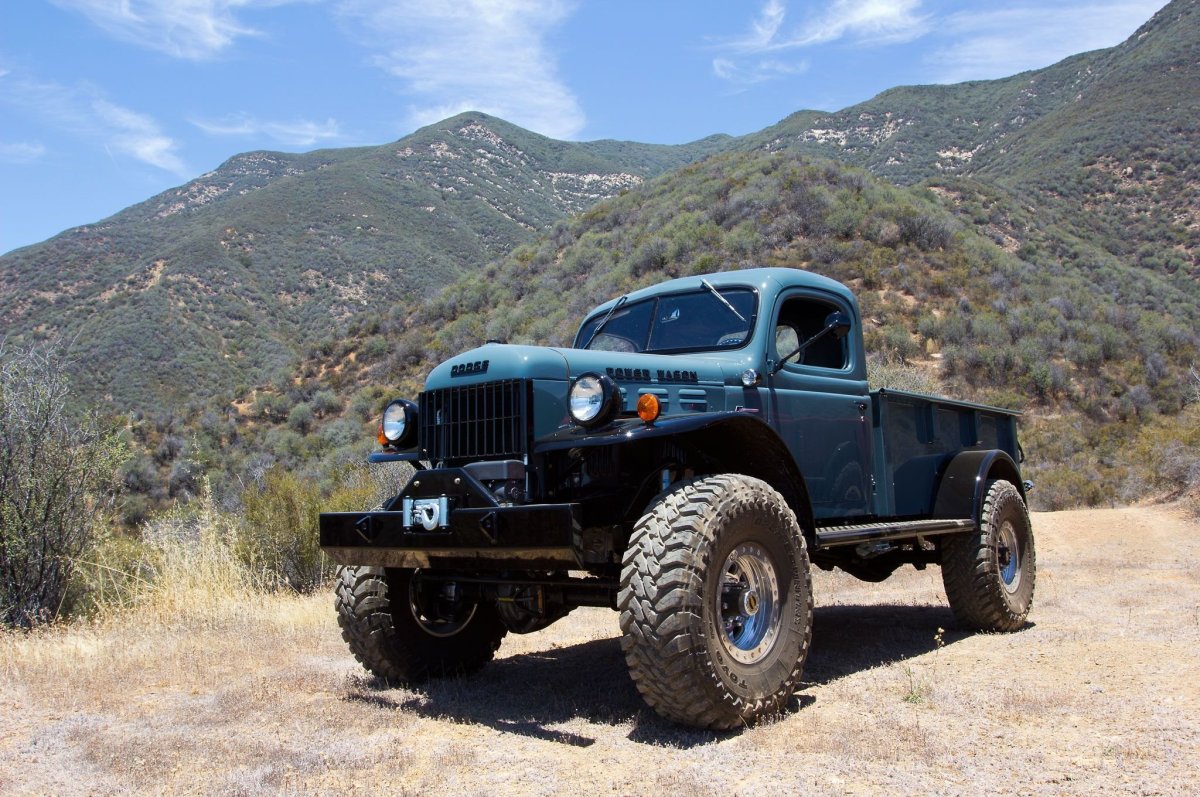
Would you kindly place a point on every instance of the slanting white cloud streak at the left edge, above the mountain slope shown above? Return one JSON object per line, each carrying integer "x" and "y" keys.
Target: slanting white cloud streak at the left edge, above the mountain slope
{"x": 87, "y": 113}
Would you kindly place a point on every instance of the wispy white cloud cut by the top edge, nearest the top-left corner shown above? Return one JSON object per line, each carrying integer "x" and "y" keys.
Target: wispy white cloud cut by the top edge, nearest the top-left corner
{"x": 189, "y": 29}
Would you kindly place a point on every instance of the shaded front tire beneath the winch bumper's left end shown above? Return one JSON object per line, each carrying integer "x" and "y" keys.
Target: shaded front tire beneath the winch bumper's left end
{"x": 400, "y": 634}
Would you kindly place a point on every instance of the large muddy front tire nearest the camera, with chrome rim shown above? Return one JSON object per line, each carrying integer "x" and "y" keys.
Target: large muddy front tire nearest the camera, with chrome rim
{"x": 717, "y": 603}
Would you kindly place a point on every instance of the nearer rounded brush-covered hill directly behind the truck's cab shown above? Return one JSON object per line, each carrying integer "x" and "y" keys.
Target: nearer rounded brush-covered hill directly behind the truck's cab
{"x": 1090, "y": 356}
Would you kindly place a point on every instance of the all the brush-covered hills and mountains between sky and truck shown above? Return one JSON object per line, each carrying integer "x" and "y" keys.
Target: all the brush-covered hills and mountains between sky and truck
{"x": 1030, "y": 242}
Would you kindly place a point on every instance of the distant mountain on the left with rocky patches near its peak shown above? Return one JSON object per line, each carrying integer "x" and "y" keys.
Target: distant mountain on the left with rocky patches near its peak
{"x": 215, "y": 284}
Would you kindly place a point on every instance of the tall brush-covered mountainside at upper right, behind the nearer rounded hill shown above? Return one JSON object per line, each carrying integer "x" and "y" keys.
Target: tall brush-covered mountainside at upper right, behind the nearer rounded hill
{"x": 1103, "y": 145}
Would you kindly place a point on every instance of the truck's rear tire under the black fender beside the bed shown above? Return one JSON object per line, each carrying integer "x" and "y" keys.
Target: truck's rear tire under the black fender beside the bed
{"x": 989, "y": 574}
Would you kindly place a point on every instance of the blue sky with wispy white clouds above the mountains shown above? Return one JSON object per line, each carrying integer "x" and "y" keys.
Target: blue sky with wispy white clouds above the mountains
{"x": 105, "y": 104}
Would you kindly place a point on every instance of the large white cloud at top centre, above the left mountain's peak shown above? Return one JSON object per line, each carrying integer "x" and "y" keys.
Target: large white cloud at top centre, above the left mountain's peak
{"x": 489, "y": 56}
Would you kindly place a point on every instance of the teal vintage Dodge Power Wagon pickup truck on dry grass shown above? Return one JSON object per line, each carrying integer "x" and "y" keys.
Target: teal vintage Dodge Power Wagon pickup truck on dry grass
{"x": 701, "y": 444}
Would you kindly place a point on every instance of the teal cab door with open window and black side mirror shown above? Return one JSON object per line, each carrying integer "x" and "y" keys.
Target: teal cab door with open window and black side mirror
{"x": 819, "y": 402}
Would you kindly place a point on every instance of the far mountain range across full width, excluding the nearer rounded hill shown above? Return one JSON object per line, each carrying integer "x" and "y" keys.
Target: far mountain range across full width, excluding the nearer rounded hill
{"x": 219, "y": 285}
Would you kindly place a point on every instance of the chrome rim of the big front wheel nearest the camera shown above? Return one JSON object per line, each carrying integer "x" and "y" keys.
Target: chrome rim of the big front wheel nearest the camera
{"x": 748, "y": 604}
